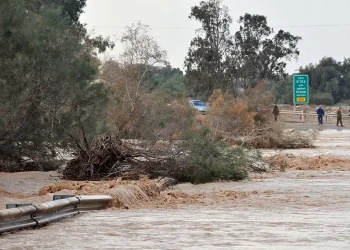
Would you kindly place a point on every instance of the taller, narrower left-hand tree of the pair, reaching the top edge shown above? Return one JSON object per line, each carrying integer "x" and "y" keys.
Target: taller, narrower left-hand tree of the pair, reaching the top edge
{"x": 208, "y": 62}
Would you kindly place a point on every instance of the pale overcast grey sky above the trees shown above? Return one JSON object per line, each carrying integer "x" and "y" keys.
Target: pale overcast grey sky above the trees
{"x": 324, "y": 25}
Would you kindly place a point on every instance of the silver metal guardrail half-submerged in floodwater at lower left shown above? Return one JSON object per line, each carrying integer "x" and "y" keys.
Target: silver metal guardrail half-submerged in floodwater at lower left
{"x": 33, "y": 216}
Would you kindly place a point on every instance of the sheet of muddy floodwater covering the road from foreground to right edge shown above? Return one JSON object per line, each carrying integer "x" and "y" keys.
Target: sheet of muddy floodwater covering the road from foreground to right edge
{"x": 296, "y": 209}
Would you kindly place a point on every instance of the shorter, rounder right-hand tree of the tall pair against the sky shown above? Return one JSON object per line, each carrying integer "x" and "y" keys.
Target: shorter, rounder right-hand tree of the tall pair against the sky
{"x": 259, "y": 53}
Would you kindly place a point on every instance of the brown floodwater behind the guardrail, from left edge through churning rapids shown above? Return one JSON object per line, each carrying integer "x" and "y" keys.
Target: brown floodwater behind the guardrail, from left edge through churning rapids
{"x": 38, "y": 187}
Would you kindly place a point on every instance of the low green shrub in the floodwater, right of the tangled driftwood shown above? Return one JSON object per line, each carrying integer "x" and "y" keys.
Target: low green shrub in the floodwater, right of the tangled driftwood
{"x": 207, "y": 161}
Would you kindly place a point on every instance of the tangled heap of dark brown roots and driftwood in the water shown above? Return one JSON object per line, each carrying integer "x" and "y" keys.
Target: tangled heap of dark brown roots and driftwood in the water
{"x": 107, "y": 158}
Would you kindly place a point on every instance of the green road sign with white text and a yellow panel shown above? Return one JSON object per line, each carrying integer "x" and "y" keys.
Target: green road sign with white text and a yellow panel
{"x": 300, "y": 89}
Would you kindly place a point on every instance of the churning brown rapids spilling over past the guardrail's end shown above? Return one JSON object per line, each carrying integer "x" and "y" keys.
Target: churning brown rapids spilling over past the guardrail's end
{"x": 144, "y": 193}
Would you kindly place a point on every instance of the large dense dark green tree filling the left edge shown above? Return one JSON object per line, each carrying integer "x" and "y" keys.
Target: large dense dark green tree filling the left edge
{"x": 47, "y": 75}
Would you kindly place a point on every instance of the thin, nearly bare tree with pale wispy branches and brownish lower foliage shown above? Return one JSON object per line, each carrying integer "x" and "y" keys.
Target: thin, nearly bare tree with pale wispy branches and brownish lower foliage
{"x": 132, "y": 100}
